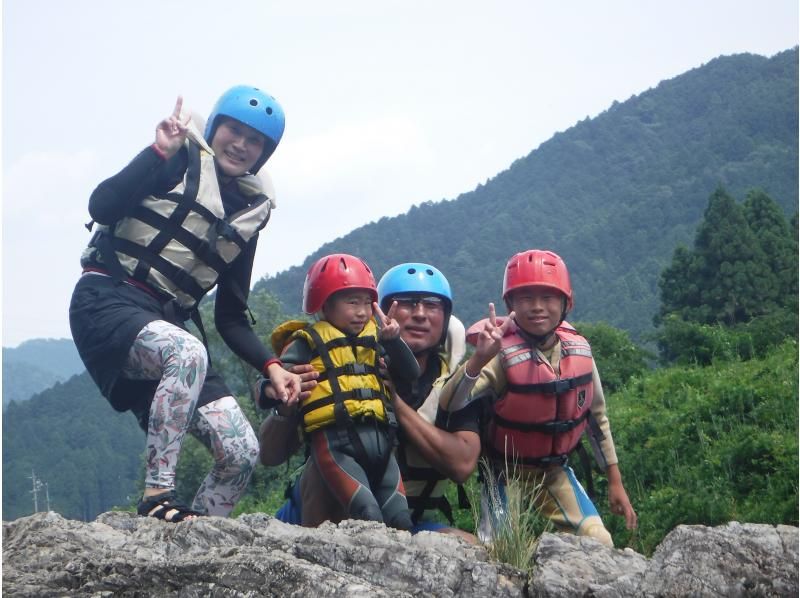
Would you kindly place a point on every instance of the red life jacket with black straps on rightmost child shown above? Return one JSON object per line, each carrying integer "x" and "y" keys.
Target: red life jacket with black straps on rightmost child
{"x": 541, "y": 416}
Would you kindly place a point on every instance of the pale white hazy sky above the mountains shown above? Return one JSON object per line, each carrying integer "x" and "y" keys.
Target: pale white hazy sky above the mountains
{"x": 388, "y": 103}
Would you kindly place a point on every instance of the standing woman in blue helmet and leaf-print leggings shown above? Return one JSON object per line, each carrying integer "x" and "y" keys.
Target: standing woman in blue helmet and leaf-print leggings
{"x": 180, "y": 219}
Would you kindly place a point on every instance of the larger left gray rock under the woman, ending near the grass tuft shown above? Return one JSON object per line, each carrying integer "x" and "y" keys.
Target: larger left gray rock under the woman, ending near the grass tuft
{"x": 121, "y": 554}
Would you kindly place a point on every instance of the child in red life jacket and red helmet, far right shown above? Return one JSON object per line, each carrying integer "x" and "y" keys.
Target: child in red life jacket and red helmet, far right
{"x": 541, "y": 384}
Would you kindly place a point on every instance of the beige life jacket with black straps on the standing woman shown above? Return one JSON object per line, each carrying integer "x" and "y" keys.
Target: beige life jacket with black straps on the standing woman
{"x": 180, "y": 242}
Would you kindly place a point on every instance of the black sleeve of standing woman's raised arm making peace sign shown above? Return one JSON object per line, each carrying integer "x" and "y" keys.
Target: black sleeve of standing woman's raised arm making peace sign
{"x": 147, "y": 173}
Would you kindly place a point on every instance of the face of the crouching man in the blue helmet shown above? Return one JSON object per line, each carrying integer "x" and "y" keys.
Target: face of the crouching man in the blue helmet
{"x": 421, "y": 320}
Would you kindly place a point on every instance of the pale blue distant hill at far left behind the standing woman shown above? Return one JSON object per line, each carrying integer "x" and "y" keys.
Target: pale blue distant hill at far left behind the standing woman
{"x": 36, "y": 365}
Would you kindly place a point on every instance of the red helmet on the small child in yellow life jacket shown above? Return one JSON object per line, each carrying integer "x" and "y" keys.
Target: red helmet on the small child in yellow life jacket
{"x": 333, "y": 273}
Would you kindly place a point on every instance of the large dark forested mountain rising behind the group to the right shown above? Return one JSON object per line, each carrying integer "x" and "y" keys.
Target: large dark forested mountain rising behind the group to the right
{"x": 613, "y": 195}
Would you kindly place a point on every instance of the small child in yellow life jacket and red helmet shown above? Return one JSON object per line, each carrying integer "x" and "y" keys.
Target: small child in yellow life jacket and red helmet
{"x": 347, "y": 414}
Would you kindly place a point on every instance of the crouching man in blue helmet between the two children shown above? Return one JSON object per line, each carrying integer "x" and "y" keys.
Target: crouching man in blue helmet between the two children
{"x": 433, "y": 448}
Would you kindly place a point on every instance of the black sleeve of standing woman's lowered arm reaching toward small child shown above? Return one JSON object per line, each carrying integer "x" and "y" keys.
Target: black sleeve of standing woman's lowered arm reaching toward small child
{"x": 230, "y": 310}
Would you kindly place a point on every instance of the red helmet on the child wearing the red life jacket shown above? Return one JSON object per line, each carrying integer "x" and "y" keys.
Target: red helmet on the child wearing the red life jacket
{"x": 536, "y": 267}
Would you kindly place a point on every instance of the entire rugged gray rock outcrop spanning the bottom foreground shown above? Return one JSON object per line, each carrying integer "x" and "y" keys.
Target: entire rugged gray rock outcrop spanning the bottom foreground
{"x": 120, "y": 554}
